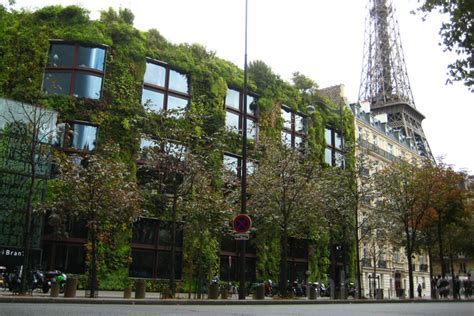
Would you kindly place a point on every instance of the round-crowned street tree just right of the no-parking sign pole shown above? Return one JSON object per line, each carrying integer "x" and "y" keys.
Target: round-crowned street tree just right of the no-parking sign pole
{"x": 284, "y": 194}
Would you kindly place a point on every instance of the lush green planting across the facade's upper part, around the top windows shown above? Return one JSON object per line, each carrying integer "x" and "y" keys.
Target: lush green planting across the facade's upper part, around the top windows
{"x": 23, "y": 54}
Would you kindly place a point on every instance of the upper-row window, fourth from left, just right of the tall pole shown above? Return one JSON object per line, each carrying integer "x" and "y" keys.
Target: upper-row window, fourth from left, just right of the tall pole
{"x": 294, "y": 131}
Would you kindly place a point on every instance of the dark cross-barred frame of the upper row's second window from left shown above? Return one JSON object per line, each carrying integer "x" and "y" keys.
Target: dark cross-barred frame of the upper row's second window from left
{"x": 165, "y": 90}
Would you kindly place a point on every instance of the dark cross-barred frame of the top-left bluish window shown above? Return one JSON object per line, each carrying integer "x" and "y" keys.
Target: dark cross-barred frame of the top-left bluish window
{"x": 74, "y": 70}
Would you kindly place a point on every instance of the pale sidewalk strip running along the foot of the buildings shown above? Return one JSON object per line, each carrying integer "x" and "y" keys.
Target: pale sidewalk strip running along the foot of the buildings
{"x": 153, "y": 298}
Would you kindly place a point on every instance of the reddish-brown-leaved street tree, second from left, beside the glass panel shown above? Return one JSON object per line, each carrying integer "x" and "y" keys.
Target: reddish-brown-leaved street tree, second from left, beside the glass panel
{"x": 100, "y": 191}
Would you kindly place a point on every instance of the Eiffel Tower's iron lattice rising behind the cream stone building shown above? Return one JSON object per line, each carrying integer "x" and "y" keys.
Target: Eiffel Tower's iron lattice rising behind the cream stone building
{"x": 384, "y": 79}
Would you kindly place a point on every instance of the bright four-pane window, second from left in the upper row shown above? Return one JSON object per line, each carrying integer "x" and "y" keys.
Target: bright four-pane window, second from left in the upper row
{"x": 164, "y": 88}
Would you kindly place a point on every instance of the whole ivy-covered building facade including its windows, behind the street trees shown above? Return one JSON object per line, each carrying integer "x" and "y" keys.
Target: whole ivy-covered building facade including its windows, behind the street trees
{"x": 108, "y": 82}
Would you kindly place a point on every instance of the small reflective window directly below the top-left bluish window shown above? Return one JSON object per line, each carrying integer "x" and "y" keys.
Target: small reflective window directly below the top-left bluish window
{"x": 77, "y": 136}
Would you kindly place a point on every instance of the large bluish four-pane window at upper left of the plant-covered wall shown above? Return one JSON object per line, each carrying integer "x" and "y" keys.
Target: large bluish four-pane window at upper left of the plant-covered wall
{"x": 75, "y": 69}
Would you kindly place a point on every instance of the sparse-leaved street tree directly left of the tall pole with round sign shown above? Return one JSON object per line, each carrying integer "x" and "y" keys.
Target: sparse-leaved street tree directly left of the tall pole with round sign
{"x": 175, "y": 151}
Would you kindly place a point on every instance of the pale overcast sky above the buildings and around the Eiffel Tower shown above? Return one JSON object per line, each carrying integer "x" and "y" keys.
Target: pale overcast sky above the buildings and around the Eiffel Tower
{"x": 321, "y": 39}
